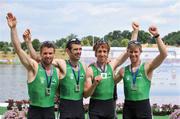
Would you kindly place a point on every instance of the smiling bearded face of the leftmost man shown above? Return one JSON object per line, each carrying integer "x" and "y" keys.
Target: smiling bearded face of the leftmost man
{"x": 47, "y": 55}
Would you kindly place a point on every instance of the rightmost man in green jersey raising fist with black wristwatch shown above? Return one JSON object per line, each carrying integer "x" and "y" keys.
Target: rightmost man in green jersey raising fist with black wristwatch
{"x": 137, "y": 78}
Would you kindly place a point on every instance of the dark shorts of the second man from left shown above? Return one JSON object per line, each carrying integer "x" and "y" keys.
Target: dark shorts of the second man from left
{"x": 70, "y": 109}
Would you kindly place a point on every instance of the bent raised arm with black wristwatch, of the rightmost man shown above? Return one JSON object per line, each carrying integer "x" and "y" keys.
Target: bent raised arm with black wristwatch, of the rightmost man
{"x": 162, "y": 51}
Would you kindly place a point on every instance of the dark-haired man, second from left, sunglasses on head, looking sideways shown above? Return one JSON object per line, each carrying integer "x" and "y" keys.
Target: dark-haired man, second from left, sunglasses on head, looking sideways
{"x": 72, "y": 78}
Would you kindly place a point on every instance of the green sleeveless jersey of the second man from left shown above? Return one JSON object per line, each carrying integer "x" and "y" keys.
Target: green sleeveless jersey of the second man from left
{"x": 68, "y": 83}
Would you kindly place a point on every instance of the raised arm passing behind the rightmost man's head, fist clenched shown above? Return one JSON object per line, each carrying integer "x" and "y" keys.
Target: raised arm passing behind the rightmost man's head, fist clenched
{"x": 123, "y": 57}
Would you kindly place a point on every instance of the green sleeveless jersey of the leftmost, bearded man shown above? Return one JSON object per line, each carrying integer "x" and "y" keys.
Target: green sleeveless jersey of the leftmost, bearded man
{"x": 37, "y": 88}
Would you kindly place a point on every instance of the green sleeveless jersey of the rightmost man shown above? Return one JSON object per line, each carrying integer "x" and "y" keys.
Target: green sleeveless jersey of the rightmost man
{"x": 142, "y": 85}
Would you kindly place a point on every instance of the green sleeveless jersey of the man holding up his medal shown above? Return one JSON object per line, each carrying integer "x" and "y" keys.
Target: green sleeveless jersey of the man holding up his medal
{"x": 105, "y": 88}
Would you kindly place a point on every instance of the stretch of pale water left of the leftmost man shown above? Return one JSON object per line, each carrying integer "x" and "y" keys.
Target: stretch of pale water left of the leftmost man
{"x": 13, "y": 82}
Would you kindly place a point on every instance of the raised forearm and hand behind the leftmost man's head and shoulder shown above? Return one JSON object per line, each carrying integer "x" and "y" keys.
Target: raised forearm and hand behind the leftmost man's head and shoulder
{"x": 27, "y": 39}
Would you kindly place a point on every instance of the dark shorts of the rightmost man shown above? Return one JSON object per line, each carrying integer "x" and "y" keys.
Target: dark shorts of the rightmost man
{"x": 137, "y": 110}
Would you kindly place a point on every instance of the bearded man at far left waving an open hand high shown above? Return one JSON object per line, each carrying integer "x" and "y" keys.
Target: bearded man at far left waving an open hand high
{"x": 43, "y": 77}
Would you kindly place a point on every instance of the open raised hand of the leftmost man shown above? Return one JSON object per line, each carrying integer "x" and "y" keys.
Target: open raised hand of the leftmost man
{"x": 11, "y": 20}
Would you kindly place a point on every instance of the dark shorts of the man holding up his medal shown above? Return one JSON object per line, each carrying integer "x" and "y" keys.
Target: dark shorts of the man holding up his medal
{"x": 101, "y": 109}
